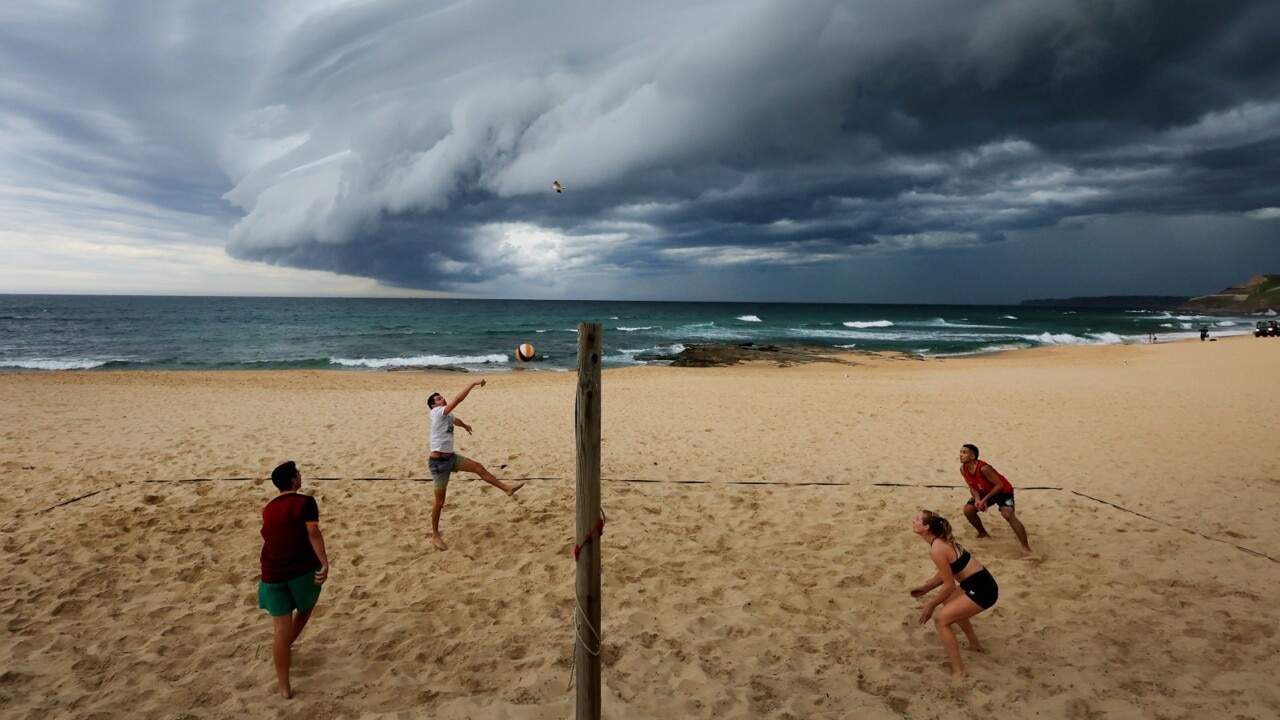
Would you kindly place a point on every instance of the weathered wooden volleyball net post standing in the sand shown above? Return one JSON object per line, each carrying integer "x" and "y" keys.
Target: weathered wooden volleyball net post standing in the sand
{"x": 587, "y": 616}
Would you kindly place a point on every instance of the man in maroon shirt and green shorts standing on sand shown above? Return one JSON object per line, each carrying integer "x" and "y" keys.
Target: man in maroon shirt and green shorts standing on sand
{"x": 295, "y": 566}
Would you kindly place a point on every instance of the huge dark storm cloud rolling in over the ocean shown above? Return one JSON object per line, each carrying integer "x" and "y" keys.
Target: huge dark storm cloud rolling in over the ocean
{"x": 767, "y": 127}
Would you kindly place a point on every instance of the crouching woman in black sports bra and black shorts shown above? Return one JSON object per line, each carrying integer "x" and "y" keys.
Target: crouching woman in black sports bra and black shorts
{"x": 967, "y": 590}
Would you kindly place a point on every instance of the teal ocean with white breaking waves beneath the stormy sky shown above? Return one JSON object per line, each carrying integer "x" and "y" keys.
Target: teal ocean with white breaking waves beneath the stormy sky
{"x": 51, "y": 334}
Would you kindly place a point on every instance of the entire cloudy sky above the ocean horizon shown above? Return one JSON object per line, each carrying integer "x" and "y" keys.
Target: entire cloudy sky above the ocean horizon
{"x": 980, "y": 152}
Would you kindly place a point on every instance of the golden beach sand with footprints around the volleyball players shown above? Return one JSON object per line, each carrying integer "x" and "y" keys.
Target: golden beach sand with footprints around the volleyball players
{"x": 1149, "y": 481}
